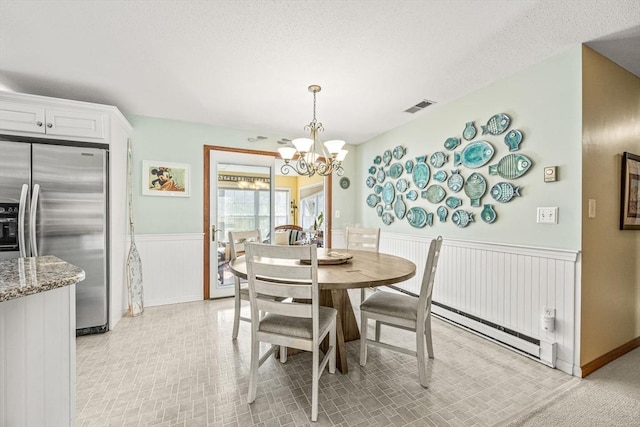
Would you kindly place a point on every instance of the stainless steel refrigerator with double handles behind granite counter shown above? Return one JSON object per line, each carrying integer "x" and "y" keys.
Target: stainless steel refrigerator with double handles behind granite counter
{"x": 53, "y": 201}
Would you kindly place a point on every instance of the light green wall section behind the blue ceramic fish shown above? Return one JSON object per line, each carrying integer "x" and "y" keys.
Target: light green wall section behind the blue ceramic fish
{"x": 544, "y": 102}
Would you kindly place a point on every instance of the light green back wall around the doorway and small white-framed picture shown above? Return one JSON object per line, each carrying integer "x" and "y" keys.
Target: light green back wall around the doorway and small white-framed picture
{"x": 183, "y": 142}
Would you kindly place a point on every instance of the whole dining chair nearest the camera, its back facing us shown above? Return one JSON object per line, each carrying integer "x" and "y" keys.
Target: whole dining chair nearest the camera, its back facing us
{"x": 294, "y": 324}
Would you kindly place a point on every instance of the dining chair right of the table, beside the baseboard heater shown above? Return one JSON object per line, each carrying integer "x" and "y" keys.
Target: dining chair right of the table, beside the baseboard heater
{"x": 404, "y": 312}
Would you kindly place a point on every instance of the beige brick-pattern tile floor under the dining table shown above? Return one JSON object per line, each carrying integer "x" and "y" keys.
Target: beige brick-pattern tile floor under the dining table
{"x": 176, "y": 365}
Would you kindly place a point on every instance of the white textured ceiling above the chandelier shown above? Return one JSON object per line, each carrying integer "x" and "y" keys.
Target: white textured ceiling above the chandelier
{"x": 247, "y": 64}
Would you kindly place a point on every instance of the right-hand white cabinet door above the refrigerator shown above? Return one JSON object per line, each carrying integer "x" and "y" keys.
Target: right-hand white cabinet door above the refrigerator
{"x": 74, "y": 123}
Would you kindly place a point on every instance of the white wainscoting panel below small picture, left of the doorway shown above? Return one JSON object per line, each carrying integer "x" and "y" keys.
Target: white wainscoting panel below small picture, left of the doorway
{"x": 171, "y": 267}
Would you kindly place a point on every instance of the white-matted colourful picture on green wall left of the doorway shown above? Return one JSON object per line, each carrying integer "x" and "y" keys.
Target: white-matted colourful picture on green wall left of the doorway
{"x": 166, "y": 179}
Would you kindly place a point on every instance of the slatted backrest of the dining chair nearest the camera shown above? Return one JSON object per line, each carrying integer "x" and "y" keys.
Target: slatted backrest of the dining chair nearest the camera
{"x": 276, "y": 271}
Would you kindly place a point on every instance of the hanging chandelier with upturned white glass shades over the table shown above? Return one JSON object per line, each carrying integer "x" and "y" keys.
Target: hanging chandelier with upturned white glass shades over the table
{"x": 310, "y": 157}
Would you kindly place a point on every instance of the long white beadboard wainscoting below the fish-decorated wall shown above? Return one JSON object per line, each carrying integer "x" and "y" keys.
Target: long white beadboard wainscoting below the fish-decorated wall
{"x": 506, "y": 285}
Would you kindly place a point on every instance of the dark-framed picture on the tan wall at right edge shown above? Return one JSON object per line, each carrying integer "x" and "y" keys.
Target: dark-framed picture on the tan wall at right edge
{"x": 630, "y": 192}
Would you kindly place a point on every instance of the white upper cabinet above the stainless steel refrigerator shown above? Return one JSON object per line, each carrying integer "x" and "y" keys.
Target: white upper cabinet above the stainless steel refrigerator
{"x": 23, "y": 117}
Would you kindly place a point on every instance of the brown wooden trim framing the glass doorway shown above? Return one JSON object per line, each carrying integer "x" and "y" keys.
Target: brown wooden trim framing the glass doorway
{"x": 206, "y": 204}
